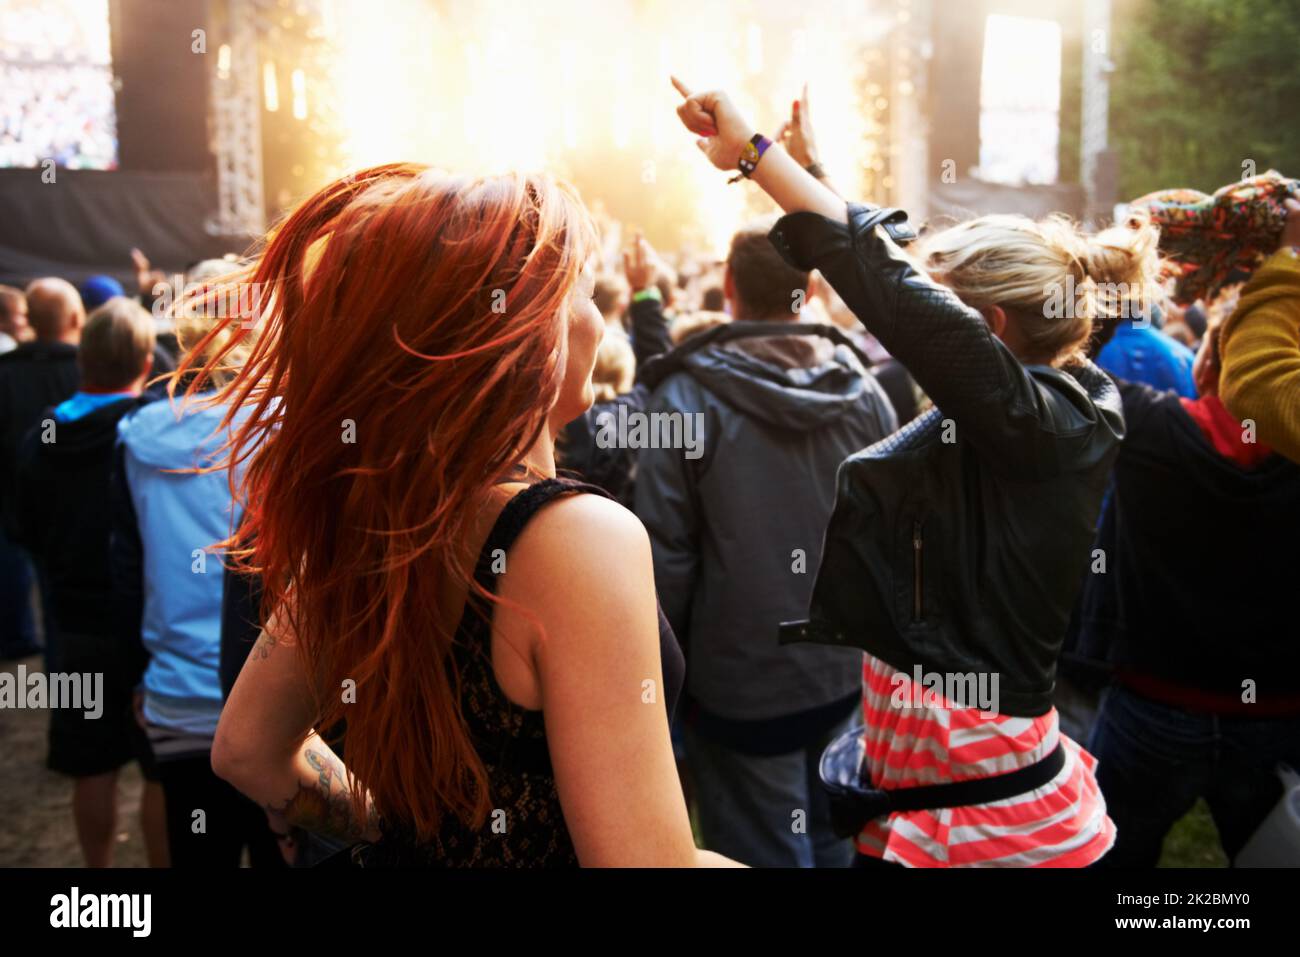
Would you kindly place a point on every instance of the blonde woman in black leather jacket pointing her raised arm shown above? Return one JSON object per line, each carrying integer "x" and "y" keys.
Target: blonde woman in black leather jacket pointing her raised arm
{"x": 959, "y": 545}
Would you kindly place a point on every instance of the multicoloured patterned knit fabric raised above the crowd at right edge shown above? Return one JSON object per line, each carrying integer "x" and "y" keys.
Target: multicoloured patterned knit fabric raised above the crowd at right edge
{"x": 1214, "y": 241}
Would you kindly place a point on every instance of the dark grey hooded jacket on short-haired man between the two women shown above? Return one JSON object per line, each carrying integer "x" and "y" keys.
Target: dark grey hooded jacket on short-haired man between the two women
{"x": 736, "y": 532}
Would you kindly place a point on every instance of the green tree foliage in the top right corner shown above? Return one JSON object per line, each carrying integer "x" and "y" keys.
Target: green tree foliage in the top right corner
{"x": 1201, "y": 89}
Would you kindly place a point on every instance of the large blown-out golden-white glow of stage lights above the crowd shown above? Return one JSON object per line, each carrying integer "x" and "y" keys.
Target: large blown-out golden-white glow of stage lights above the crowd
{"x": 583, "y": 90}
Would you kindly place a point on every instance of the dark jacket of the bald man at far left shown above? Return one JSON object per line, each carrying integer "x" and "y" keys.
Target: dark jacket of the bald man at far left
{"x": 33, "y": 379}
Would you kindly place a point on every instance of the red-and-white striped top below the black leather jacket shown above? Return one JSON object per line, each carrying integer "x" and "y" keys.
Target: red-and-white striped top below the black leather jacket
{"x": 925, "y": 742}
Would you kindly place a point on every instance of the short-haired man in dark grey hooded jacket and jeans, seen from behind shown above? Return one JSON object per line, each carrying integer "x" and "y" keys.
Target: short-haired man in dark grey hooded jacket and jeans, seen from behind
{"x": 736, "y": 522}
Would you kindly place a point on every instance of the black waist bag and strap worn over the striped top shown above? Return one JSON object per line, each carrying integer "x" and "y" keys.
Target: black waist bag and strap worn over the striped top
{"x": 855, "y": 806}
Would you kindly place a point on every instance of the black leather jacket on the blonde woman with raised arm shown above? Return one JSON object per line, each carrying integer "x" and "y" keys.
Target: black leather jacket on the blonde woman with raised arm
{"x": 960, "y": 543}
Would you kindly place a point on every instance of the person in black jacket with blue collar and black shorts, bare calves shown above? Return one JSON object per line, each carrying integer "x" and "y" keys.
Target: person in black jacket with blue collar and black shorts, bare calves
{"x": 62, "y": 516}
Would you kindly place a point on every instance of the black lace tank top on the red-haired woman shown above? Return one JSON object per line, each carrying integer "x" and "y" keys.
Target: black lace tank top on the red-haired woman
{"x": 512, "y": 741}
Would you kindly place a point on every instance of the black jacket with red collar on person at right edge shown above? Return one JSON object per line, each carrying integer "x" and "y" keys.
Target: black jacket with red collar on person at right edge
{"x": 1199, "y": 582}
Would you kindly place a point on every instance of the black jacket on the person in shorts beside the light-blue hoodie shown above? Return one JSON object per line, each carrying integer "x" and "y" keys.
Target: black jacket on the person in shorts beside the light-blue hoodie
{"x": 64, "y": 517}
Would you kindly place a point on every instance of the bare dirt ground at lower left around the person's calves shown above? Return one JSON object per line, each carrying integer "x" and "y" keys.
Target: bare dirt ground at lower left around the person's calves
{"x": 36, "y": 804}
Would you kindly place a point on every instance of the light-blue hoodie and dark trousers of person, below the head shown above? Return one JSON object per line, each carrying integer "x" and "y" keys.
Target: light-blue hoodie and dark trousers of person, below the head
{"x": 167, "y": 517}
